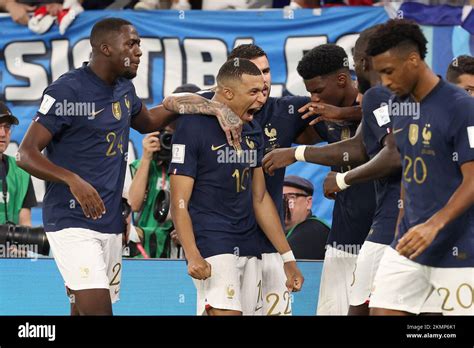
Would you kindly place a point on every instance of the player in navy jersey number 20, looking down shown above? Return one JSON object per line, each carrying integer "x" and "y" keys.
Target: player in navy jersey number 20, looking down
{"x": 434, "y": 246}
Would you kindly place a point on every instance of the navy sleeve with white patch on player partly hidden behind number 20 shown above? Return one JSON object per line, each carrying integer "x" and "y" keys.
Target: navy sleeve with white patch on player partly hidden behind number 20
{"x": 375, "y": 112}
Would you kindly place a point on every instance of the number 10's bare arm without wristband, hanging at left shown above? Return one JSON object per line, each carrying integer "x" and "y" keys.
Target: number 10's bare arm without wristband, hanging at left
{"x": 181, "y": 189}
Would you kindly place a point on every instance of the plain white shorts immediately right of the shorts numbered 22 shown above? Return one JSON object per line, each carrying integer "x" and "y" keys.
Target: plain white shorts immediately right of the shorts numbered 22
{"x": 336, "y": 280}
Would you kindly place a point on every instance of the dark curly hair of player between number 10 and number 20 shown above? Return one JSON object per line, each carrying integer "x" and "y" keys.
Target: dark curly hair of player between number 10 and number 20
{"x": 322, "y": 60}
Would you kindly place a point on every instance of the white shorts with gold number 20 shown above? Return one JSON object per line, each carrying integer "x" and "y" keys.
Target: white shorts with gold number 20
{"x": 405, "y": 285}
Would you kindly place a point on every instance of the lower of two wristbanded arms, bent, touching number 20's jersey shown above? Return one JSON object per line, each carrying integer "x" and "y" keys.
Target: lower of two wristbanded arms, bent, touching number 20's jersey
{"x": 387, "y": 162}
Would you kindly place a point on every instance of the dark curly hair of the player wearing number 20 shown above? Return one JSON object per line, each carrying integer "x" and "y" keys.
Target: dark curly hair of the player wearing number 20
{"x": 397, "y": 33}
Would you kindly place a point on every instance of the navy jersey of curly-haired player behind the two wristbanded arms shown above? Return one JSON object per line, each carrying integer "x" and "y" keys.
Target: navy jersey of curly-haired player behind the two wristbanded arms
{"x": 354, "y": 207}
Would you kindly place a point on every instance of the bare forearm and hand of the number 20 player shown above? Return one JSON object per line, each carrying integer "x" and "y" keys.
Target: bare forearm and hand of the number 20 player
{"x": 419, "y": 237}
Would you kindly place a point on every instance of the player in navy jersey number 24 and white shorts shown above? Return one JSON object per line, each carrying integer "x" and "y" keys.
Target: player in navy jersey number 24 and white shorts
{"x": 83, "y": 122}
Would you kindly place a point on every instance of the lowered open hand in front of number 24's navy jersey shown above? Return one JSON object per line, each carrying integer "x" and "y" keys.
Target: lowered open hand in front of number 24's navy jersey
{"x": 87, "y": 196}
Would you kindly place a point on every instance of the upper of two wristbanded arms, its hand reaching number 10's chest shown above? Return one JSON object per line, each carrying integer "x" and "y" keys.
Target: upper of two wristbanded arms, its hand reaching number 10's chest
{"x": 346, "y": 152}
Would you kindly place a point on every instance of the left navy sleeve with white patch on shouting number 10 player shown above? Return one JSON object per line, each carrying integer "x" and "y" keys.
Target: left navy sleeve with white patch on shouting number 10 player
{"x": 185, "y": 147}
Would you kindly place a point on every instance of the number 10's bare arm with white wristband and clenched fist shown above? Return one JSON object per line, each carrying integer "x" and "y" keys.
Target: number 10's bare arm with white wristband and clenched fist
{"x": 269, "y": 220}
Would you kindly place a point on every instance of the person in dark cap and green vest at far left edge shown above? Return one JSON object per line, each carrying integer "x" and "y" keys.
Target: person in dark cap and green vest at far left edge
{"x": 16, "y": 186}
